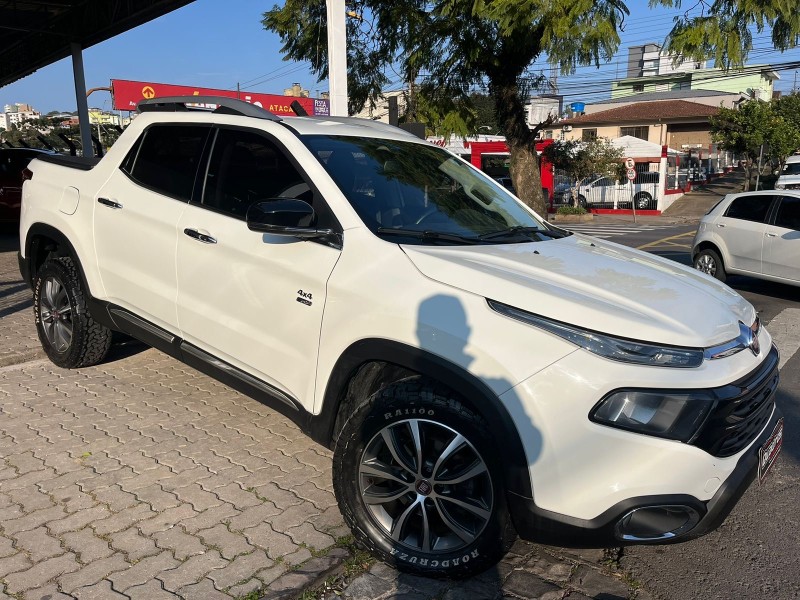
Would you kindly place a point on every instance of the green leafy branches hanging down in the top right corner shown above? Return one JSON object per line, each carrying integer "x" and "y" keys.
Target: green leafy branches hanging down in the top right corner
{"x": 723, "y": 30}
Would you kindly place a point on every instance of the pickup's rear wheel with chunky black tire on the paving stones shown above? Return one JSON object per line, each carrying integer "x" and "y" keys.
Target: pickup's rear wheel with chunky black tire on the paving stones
{"x": 71, "y": 338}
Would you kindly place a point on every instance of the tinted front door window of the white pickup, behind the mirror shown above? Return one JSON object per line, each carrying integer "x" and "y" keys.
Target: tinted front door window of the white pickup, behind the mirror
{"x": 245, "y": 168}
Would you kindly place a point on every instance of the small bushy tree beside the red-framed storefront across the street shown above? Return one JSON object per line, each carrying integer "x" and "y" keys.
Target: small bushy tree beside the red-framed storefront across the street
{"x": 582, "y": 159}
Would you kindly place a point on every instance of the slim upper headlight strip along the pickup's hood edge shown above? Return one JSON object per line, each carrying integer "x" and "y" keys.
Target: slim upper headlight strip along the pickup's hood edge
{"x": 614, "y": 348}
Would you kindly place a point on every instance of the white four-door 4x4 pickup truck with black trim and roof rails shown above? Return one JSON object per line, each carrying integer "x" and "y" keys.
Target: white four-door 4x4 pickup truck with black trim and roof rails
{"x": 477, "y": 372}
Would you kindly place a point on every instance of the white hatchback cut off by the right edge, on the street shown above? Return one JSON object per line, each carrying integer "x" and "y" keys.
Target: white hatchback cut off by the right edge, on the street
{"x": 753, "y": 233}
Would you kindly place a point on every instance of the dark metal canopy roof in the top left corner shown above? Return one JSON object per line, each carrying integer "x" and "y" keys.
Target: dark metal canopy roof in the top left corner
{"x": 36, "y": 33}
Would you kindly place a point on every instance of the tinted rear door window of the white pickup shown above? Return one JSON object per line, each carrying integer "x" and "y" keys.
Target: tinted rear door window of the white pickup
{"x": 167, "y": 159}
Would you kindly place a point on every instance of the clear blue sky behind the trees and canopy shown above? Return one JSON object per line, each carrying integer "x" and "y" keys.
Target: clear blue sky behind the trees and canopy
{"x": 210, "y": 43}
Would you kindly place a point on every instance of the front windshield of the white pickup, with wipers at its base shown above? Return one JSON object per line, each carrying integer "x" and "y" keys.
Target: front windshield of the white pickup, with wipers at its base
{"x": 414, "y": 188}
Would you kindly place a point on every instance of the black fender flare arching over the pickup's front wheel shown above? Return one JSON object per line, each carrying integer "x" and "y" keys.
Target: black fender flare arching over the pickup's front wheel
{"x": 481, "y": 398}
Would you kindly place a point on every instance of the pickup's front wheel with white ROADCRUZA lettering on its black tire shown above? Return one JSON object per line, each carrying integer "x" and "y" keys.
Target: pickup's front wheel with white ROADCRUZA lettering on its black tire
{"x": 427, "y": 504}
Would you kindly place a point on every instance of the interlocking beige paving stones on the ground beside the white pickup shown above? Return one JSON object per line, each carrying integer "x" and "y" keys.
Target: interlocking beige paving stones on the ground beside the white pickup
{"x": 143, "y": 478}
